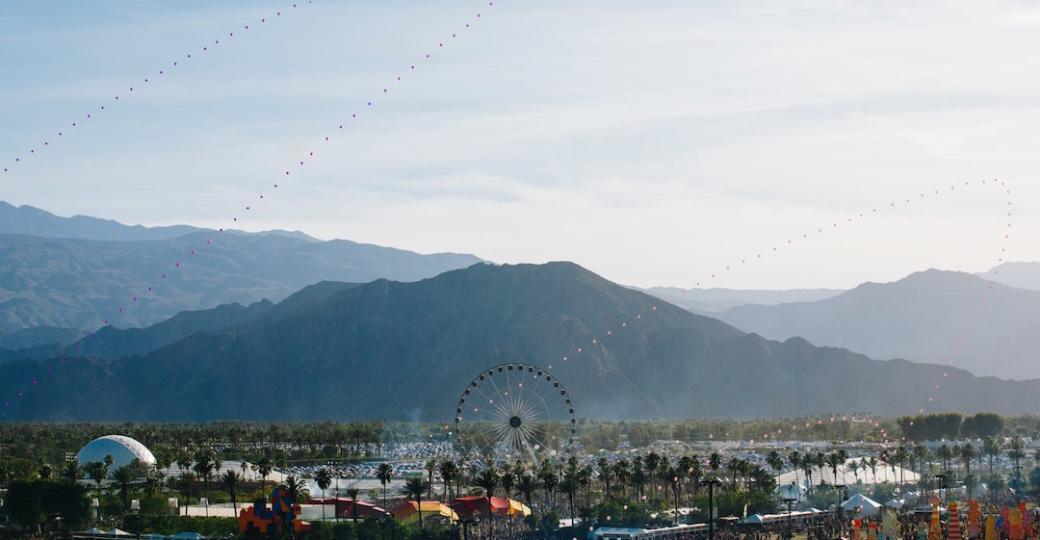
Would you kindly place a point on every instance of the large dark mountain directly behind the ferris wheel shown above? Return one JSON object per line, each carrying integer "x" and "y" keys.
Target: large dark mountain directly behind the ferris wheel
{"x": 408, "y": 350}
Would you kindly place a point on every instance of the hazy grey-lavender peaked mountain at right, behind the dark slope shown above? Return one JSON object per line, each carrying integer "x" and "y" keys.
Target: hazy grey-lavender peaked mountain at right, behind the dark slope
{"x": 939, "y": 317}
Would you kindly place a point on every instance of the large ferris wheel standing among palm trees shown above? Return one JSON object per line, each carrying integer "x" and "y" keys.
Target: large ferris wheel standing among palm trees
{"x": 515, "y": 412}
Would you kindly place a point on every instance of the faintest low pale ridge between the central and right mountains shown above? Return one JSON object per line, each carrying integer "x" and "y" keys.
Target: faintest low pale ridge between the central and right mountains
{"x": 717, "y": 300}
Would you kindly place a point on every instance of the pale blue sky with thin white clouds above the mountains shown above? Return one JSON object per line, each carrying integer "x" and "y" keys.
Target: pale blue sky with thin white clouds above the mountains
{"x": 657, "y": 143}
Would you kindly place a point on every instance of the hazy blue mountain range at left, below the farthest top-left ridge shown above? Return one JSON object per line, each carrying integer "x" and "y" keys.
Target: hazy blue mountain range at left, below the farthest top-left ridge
{"x": 79, "y": 284}
